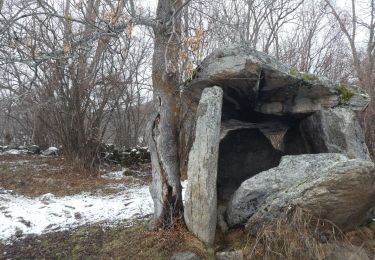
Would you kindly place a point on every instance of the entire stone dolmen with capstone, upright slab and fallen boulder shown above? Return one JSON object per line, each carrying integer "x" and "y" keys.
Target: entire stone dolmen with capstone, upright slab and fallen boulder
{"x": 321, "y": 164}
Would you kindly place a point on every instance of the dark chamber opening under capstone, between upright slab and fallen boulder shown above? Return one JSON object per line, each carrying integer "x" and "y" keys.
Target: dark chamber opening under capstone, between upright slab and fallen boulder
{"x": 250, "y": 141}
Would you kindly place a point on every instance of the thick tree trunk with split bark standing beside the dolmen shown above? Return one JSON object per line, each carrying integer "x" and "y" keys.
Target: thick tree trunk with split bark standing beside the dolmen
{"x": 163, "y": 142}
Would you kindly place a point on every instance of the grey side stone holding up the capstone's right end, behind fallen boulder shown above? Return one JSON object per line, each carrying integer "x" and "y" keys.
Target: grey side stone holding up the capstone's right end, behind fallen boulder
{"x": 335, "y": 130}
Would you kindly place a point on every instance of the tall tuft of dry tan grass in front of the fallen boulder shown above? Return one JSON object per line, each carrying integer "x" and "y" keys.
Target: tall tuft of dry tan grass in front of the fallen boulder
{"x": 300, "y": 235}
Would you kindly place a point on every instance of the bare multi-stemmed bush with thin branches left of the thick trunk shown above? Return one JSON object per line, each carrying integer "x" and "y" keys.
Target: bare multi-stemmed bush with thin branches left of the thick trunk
{"x": 74, "y": 64}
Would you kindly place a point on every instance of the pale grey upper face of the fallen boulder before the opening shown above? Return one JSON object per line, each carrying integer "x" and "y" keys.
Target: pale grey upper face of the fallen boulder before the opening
{"x": 292, "y": 170}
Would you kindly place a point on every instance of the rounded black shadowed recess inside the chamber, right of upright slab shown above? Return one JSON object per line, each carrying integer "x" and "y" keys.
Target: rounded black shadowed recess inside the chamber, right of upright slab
{"x": 244, "y": 153}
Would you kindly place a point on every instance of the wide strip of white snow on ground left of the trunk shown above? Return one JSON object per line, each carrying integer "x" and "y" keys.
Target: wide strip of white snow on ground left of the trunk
{"x": 21, "y": 215}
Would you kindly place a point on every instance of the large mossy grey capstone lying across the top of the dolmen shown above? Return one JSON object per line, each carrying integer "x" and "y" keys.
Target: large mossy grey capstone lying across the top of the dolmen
{"x": 254, "y": 80}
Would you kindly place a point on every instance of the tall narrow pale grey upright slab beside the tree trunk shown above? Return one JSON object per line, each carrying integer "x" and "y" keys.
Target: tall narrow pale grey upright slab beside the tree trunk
{"x": 201, "y": 195}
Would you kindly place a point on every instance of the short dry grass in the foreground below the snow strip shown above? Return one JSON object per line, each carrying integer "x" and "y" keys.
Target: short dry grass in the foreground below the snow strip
{"x": 97, "y": 242}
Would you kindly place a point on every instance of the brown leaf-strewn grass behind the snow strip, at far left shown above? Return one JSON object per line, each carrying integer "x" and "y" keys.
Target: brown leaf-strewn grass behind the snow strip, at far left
{"x": 35, "y": 176}
